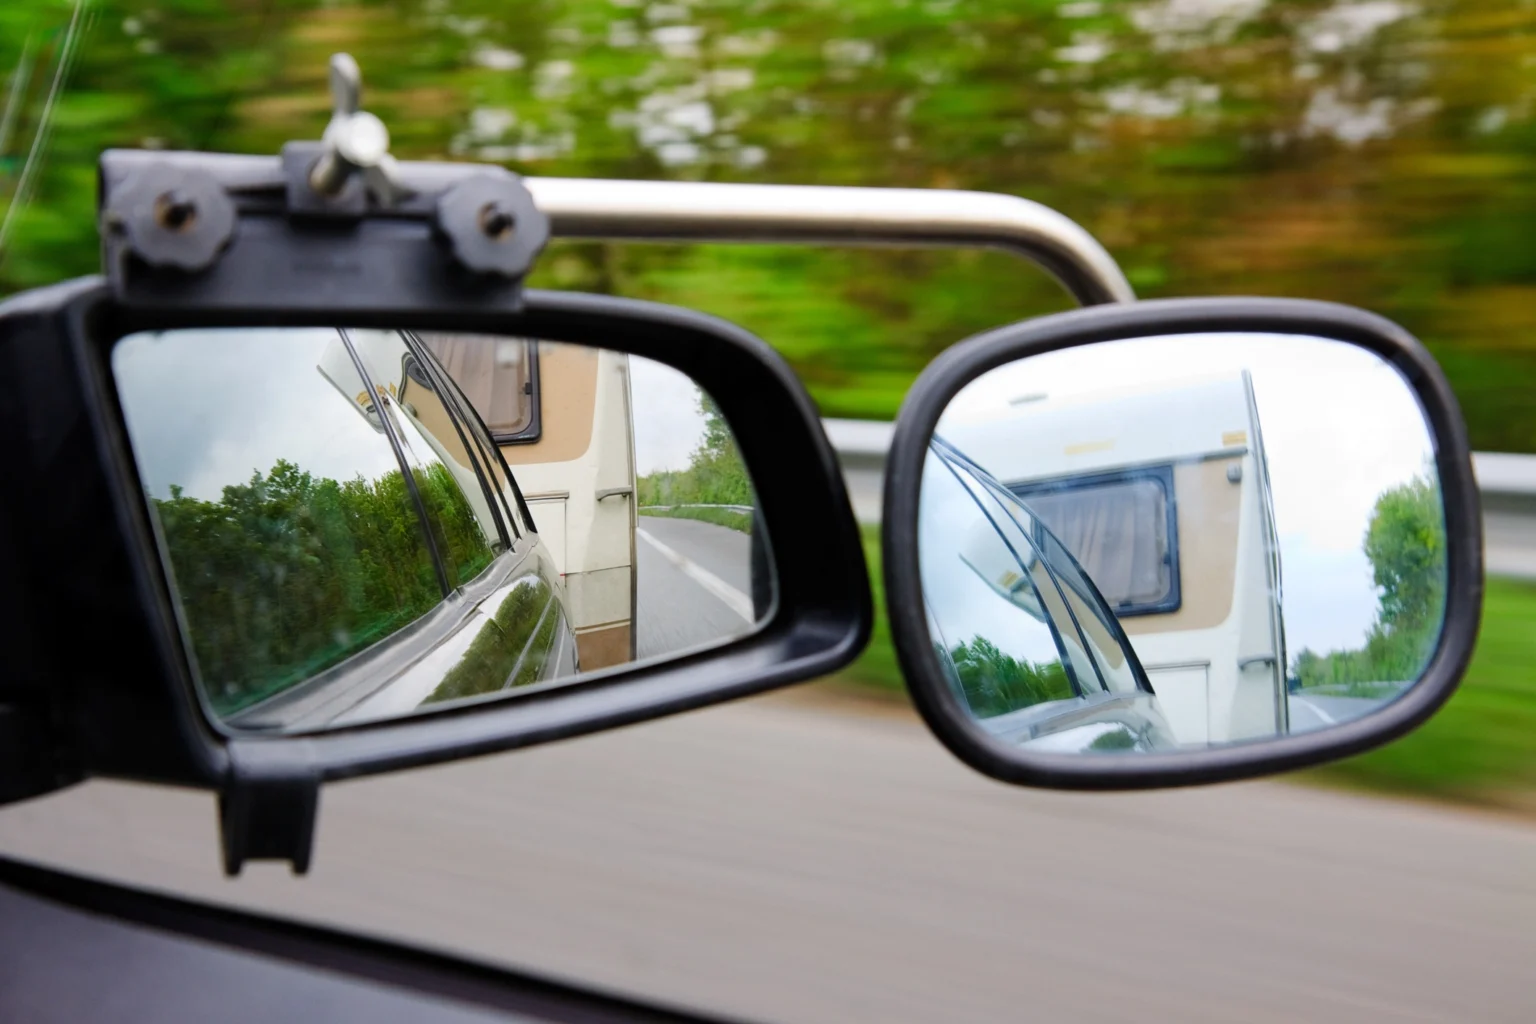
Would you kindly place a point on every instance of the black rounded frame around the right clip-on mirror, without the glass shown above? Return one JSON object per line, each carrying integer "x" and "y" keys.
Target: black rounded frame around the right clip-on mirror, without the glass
{"x": 958, "y": 366}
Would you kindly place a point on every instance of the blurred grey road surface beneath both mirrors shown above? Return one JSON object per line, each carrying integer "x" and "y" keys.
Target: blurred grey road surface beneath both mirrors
{"x": 787, "y": 860}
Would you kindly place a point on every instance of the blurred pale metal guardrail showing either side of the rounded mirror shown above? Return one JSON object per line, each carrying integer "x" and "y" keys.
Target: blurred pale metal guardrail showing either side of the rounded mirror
{"x": 1508, "y": 484}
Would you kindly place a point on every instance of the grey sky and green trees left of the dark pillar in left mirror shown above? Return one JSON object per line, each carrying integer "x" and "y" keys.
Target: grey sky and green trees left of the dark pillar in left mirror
{"x": 290, "y": 530}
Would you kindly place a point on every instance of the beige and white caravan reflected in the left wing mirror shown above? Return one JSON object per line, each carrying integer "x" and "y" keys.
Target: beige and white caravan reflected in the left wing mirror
{"x": 563, "y": 418}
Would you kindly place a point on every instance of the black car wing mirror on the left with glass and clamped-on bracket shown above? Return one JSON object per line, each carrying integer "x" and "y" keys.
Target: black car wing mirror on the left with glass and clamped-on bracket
{"x": 336, "y": 500}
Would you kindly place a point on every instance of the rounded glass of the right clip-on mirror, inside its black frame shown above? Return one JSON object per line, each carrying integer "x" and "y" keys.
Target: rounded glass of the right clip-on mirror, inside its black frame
{"x": 1182, "y": 543}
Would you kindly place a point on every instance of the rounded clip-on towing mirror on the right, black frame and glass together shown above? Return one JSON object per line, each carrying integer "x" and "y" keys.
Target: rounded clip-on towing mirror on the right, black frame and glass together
{"x": 1180, "y": 543}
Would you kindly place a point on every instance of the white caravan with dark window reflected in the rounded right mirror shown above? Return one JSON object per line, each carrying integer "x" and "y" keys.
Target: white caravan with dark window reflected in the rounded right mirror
{"x": 1164, "y": 497}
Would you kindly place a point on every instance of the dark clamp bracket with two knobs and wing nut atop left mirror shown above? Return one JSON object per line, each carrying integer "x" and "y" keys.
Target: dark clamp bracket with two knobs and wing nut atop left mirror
{"x": 329, "y": 225}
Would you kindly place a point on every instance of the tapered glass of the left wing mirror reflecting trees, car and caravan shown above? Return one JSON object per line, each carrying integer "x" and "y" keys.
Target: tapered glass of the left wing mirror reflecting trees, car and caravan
{"x": 360, "y": 524}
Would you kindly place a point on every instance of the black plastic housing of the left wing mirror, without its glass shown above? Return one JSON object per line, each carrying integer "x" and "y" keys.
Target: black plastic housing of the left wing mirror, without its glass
{"x": 99, "y": 679}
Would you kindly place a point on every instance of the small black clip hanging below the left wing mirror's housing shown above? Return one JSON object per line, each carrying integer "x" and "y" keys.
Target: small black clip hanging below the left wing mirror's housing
{"x": 268, "y": 804}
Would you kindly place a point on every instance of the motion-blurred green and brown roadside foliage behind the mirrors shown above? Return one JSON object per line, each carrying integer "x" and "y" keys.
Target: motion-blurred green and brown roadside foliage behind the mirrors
{"x": 1375, "y": 153}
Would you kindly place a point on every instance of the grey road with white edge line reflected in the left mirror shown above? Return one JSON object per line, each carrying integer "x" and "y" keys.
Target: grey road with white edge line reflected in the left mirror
{"x": 694, "y": 584}
